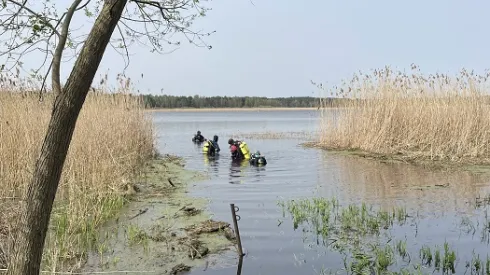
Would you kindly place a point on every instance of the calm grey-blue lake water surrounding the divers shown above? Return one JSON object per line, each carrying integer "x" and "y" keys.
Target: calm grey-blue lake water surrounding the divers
{"x": 272, "y": 246}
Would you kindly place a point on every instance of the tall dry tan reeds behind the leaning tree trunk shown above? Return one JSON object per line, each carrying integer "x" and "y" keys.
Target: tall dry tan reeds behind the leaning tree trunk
{"x": 112, "y": 140}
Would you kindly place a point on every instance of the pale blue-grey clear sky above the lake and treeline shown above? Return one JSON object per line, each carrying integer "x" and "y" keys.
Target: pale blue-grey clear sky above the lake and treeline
{"x": 276, "y": 48}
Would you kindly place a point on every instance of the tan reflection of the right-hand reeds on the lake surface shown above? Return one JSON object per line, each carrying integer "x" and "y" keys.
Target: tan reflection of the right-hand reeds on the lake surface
{"x": 351, "y": 178}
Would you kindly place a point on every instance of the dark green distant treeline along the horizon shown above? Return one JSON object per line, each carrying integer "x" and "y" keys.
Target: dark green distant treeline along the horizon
{"x": 169, "y": 101}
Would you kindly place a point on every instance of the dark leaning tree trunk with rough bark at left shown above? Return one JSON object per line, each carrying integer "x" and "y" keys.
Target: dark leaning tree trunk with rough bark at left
{"x": 32, "y": 227}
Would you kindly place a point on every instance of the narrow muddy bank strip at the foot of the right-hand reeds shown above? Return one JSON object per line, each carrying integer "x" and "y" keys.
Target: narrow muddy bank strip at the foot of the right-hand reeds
{"x": 469, "y": 165}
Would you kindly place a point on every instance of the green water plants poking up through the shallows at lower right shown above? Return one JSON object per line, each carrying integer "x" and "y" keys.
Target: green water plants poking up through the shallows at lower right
{"x": 366, "y": 240}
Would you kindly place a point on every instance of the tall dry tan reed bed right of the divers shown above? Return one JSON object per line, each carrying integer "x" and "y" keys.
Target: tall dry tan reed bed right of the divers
{"x": 435, "y": 117}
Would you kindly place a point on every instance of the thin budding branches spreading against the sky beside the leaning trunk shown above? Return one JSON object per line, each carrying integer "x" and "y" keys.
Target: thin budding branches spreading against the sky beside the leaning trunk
{"x": 28, "y": 26}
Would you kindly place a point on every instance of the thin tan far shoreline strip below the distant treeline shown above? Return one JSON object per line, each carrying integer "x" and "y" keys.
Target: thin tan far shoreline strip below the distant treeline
{"x": 232, "y": 109}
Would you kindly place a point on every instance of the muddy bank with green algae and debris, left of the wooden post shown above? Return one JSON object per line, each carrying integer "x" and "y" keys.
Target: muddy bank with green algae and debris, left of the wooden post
{"x": 162, "y": 229}
